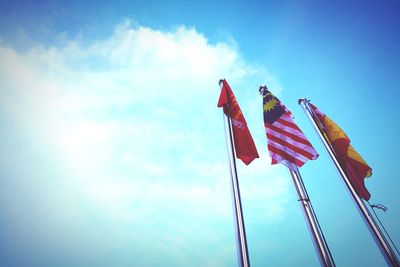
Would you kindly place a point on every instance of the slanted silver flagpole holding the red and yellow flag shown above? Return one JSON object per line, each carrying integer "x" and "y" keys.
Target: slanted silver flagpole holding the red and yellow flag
{"x": 375, "y": 231}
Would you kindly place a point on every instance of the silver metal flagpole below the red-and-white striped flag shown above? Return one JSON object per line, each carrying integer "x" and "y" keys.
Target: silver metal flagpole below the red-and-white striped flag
{"x": 320, "y": 244}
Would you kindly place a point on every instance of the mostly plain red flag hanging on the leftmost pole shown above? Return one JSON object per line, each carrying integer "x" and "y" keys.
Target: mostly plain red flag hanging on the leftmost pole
{"x": 244, "y": 144}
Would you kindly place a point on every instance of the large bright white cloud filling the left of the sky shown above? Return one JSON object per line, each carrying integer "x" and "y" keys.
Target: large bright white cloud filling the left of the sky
{"x": 123, "y": 136}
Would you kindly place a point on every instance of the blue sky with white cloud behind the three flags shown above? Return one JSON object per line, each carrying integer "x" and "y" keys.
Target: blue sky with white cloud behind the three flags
{"x": 113, "y": 151}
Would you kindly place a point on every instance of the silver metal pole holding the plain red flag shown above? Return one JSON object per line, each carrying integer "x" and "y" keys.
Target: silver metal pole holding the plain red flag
{"x": 243, "y": 254}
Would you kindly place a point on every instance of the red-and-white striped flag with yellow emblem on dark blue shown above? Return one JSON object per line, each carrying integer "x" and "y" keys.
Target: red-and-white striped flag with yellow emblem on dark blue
{"x": 286, "y": 142}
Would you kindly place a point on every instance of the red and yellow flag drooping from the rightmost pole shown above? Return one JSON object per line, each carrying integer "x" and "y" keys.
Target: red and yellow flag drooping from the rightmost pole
{"x": 352, "y": 163}
